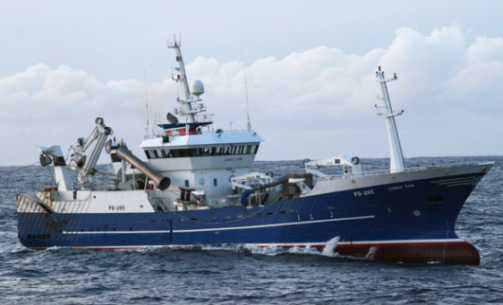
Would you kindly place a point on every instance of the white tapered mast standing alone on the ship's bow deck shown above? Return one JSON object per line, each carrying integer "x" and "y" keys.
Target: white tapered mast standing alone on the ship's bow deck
{"x": 396, "y": 154}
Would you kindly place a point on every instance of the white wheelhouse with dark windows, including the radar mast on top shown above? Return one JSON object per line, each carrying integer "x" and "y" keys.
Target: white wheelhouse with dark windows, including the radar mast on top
{"x": 200, "y": 162}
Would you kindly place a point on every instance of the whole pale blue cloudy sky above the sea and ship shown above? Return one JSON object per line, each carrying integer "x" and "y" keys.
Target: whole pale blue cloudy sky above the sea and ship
{"x": 309, "y": 66}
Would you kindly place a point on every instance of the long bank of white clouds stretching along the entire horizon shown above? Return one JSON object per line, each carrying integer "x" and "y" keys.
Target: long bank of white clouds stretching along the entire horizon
{"x": 295, "y": 100}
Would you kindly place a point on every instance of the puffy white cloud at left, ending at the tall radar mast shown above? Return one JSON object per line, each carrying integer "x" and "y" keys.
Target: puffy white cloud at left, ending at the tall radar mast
{"x": 46, "y": 95}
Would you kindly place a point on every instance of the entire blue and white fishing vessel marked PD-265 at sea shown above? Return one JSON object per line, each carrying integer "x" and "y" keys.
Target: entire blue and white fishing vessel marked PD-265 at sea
{"x": 196, "y": 188}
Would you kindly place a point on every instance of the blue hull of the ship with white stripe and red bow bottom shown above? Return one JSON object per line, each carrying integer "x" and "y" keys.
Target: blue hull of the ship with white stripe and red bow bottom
{"x": 392, "y": 223}
